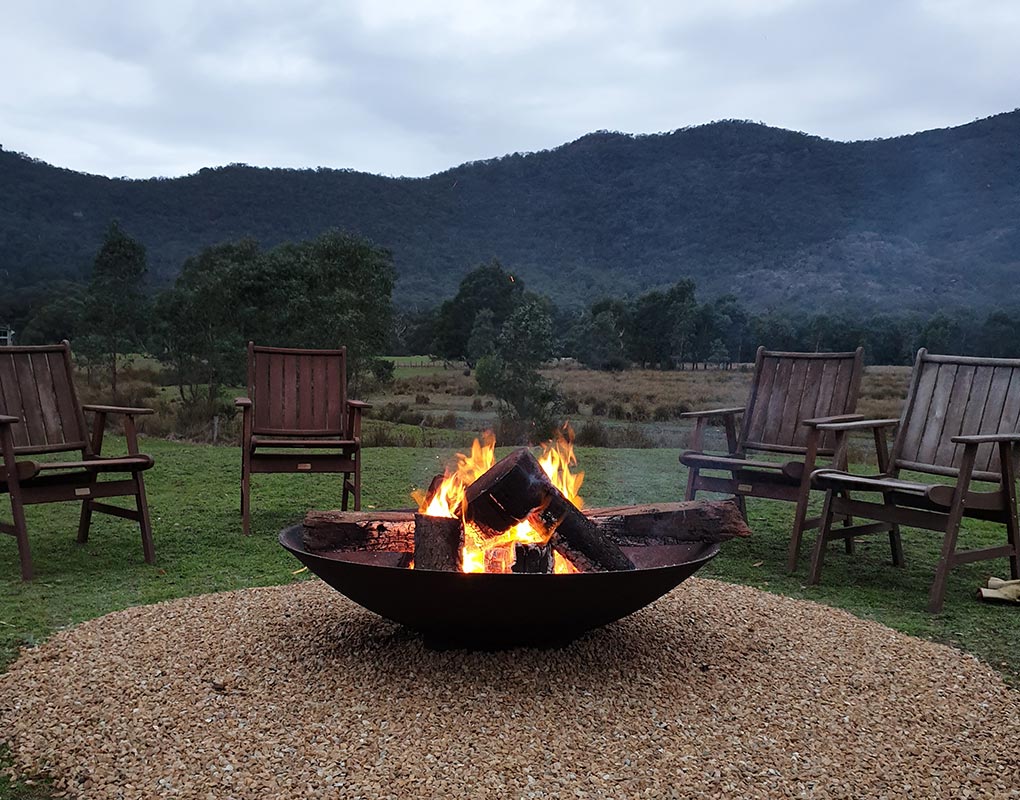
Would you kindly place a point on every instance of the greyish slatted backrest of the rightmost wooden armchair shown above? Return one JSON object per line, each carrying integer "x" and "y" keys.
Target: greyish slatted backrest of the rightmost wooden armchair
{"x": 957, "y": 396}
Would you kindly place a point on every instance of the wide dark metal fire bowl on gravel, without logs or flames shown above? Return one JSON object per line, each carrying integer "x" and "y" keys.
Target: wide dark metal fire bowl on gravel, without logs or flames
{"x": 501, "y": 611}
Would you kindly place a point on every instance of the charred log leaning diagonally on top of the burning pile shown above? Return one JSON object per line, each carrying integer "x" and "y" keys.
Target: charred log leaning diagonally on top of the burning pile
{"x": 516, "y": 487}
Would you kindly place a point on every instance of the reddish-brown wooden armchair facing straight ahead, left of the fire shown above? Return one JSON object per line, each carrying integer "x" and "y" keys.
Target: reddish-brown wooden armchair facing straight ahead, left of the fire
{"x": 297, "y": 402}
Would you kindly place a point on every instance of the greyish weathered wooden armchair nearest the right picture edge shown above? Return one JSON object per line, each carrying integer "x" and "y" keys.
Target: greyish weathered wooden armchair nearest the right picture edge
{"x": 961, "y": 421}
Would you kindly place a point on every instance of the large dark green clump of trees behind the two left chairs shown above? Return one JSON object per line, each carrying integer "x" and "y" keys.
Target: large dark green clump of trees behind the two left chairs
{"x": 323, "y": 292}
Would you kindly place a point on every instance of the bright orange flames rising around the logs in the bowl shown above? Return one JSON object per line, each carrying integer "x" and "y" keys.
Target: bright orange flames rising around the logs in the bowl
{"x": 496, "y": 555}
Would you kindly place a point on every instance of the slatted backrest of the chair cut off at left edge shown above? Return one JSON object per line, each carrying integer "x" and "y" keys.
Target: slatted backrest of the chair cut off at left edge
{"x": 37, "y": 386}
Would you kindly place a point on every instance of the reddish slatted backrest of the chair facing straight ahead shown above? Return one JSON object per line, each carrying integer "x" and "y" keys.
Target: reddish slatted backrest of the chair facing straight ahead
{"x": 297, "y": 392}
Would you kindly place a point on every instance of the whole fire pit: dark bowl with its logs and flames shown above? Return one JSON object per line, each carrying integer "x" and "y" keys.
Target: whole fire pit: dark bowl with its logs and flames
{"x": 501, "y": 555}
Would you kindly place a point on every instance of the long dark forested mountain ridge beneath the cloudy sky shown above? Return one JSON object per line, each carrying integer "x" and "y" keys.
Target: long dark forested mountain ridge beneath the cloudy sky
{"x": 781, "y": 219}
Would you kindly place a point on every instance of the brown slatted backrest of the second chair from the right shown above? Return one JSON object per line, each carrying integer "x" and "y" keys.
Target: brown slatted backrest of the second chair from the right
{"x": 789, "y": 388}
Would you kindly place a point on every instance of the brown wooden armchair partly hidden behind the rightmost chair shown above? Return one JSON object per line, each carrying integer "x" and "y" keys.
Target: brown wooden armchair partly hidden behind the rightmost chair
{"x": 792, "y": 395}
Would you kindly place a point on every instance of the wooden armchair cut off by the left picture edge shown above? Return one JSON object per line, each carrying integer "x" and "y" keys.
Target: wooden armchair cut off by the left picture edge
{"x": 40, "y": 414}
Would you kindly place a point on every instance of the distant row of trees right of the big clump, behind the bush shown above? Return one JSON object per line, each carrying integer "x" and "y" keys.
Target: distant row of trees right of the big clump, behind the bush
{"x": 670, "y": 329}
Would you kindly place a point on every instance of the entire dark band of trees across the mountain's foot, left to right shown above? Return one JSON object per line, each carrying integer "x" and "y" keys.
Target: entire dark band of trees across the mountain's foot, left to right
{"x": 337, "y": 289}
